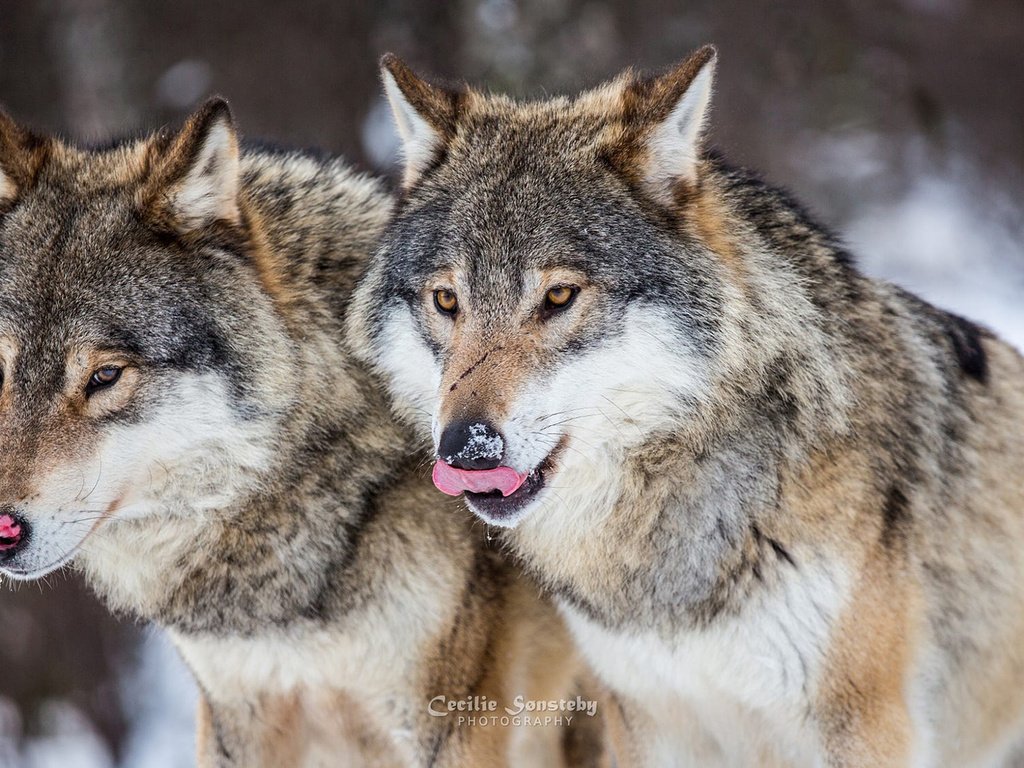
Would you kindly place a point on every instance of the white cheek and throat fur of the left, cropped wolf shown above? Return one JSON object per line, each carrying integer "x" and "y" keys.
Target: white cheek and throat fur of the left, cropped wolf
{"x": 191, "y": 459}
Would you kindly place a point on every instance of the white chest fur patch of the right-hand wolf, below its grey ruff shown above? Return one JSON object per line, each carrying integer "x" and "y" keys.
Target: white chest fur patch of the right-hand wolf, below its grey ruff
{"x": 742, "y": 686}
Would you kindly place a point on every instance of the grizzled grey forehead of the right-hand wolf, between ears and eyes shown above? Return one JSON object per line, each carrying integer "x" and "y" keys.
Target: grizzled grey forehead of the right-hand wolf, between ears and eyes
{"x": 500, "y": 214}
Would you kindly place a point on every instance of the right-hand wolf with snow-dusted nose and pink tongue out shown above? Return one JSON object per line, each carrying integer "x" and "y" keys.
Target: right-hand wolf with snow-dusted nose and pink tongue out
{"x": 780, "y": 503}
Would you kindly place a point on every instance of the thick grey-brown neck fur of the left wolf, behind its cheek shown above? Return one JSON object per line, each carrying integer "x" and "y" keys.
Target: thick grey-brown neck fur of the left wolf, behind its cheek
{"x": 276, "y": 548}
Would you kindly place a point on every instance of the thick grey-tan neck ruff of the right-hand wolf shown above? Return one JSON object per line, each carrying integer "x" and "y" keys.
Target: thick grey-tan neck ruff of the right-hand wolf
{"x": 697, "y": 513}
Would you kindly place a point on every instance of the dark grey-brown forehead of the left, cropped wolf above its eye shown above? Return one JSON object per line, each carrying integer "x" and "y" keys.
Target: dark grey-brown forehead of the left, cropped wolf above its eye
{"x": 80, "y": 269}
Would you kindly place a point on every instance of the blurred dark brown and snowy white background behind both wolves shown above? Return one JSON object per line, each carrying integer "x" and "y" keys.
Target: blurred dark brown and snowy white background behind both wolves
{"x": 900, "y": 123}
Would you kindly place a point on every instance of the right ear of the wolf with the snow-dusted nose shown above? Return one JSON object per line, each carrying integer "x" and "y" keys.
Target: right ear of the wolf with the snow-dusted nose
{"x": 670, "y": 112}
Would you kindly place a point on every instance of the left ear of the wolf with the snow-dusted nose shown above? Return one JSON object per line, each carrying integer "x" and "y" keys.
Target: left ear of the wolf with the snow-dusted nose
{"x": 424, "y": 114}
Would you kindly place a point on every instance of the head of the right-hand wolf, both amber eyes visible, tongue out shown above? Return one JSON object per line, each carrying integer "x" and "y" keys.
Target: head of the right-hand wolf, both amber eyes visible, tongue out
{"x": 544, "y": 294}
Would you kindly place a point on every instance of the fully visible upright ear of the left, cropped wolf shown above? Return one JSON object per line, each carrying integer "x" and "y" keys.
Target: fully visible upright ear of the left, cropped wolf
{"x": 195, "y": 177}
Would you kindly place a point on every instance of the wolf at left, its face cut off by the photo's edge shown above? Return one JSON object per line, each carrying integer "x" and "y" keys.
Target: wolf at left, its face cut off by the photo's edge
{"x": 181, "y": 420}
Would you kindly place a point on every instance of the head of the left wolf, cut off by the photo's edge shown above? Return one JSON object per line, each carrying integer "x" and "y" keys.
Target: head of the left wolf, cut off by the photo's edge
{"x": 137, "y": 349}
